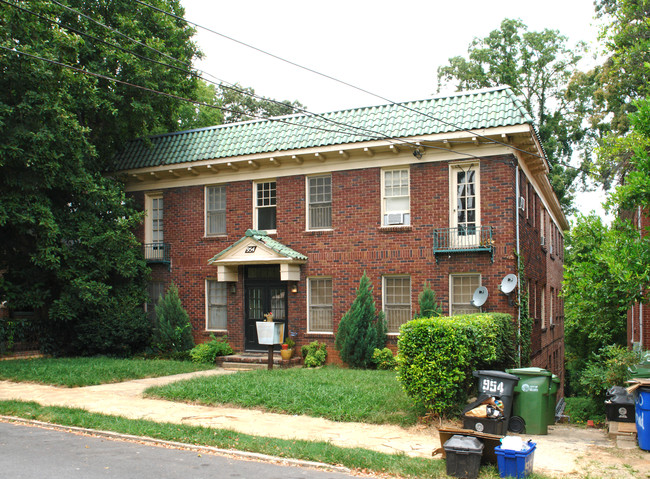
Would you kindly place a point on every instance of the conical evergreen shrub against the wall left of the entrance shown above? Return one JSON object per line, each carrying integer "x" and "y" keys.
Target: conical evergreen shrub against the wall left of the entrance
{"x": 174, "y": 331}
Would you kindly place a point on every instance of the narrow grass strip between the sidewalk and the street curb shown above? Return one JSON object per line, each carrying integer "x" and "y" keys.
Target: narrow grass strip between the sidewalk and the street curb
{"x": 353, "y": 458}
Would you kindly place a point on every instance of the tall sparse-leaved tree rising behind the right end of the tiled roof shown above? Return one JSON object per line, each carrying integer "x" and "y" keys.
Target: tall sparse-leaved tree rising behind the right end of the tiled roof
{"x": 537, "y": 66}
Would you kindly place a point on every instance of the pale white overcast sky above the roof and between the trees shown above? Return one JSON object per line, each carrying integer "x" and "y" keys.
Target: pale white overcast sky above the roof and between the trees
{"x": 389, "y": 48}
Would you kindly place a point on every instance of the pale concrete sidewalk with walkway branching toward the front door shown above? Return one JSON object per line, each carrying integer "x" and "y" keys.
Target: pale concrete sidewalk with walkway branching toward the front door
{"x": 558, "y": 453}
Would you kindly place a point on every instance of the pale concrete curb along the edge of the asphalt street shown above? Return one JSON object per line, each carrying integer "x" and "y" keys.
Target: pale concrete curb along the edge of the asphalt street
{"x": 192, "y": 447}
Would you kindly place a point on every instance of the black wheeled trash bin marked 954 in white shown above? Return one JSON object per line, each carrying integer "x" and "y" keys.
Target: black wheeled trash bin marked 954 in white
{"x": 492, "y": 384}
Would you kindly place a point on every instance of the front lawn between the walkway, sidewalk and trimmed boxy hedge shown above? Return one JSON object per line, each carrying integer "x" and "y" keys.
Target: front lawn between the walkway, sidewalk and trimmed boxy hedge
{"x": 330, "y": 392}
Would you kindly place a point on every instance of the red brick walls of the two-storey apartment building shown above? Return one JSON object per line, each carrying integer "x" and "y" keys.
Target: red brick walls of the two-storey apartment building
{"x": 357, "y": 242}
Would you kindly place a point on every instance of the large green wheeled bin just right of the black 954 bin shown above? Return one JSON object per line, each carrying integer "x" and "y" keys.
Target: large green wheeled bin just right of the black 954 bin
{"x": 532, "y": 398}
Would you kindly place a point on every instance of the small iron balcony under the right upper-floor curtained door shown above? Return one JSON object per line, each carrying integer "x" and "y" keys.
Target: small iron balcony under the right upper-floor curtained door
{"x": 463, "y": 240}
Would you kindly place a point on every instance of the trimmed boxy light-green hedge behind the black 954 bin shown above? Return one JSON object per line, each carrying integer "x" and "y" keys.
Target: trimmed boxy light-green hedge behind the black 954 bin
{"x": 437, "y": 356}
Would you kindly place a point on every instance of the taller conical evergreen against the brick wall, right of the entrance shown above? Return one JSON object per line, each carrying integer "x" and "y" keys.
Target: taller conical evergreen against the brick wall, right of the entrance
{"x": 362, "y": 329}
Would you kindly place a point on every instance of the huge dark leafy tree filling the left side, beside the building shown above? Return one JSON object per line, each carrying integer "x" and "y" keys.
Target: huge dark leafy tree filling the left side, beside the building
{"x": 66, "y": 242}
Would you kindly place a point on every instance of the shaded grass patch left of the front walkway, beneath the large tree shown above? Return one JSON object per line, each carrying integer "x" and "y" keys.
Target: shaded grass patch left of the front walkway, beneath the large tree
{"x": 74, "y": 372}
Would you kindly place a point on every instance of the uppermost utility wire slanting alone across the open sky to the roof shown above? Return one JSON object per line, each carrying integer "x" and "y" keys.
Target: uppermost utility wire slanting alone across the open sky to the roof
{"x": 350, "y": 85}
